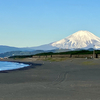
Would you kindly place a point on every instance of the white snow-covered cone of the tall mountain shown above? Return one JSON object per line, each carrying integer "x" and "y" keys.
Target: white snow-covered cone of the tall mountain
{"x": 80, "y": 39}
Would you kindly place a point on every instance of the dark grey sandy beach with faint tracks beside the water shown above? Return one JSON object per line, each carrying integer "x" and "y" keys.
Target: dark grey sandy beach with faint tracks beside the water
{"x": 69, "y": 79}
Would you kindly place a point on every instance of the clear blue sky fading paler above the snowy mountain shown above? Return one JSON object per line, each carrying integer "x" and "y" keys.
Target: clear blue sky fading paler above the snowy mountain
{"x": 28, "y": 23}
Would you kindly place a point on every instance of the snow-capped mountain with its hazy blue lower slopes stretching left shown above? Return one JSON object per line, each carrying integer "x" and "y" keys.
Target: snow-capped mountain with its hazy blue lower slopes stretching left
{"x": 79, "y": 40}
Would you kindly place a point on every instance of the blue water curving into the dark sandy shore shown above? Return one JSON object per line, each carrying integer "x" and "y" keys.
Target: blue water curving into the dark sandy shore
{"x": 11, "y": 65}
